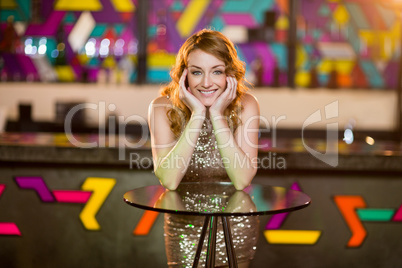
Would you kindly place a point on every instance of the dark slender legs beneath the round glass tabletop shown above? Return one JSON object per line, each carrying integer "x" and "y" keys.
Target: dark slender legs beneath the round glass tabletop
{"x": 212, "y": 222}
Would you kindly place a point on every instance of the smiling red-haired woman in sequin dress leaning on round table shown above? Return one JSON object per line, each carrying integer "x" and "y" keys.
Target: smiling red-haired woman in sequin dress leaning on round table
{"x": 204, "y": 128}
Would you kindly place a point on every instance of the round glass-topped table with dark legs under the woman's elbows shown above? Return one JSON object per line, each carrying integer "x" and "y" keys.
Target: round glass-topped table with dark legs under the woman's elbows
{"x": 275, "y": 200}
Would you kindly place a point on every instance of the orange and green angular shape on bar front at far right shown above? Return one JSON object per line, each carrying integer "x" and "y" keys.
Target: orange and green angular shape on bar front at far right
{"x": 354, "y": 211}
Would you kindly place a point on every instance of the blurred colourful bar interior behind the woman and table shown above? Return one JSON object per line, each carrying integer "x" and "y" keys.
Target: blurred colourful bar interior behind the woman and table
{"x": 327, "y": 74}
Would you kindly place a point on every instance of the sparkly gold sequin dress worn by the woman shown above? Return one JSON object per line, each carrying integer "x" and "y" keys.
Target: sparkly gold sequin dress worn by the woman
{"x": 182, "y": 232}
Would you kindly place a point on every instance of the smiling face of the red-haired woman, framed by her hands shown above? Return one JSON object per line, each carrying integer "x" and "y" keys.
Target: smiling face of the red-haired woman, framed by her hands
{"x": 206, "y": 76}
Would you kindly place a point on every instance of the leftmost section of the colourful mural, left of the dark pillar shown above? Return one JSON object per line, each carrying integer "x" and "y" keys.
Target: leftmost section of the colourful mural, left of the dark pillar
{"x": 114, "y": 21}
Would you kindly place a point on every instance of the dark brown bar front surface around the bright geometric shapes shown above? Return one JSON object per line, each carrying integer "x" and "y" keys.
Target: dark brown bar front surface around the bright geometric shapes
{"x": 52, "y": 234}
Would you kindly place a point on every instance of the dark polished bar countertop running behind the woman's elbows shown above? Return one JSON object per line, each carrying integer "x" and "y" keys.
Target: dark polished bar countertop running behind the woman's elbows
{"x": 131, "y": 151}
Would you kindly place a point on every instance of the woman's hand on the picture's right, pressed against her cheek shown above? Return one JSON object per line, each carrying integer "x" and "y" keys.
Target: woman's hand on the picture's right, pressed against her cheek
{"x": 226, "y": 98}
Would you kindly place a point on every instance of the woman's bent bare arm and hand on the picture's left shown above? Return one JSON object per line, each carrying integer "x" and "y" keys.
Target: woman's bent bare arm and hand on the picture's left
{"x": 171, "y": 157}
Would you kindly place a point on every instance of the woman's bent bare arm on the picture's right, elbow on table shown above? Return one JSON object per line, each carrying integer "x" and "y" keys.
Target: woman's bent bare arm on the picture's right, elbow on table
{"x": 239, "y": 151}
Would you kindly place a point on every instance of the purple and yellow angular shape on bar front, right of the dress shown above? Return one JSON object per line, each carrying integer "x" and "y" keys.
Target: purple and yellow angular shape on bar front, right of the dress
{"x": 275, "y": 236}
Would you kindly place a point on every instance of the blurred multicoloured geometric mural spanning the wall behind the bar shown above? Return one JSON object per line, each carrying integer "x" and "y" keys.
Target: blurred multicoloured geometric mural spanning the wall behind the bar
{"x": 371, "y": 31}
